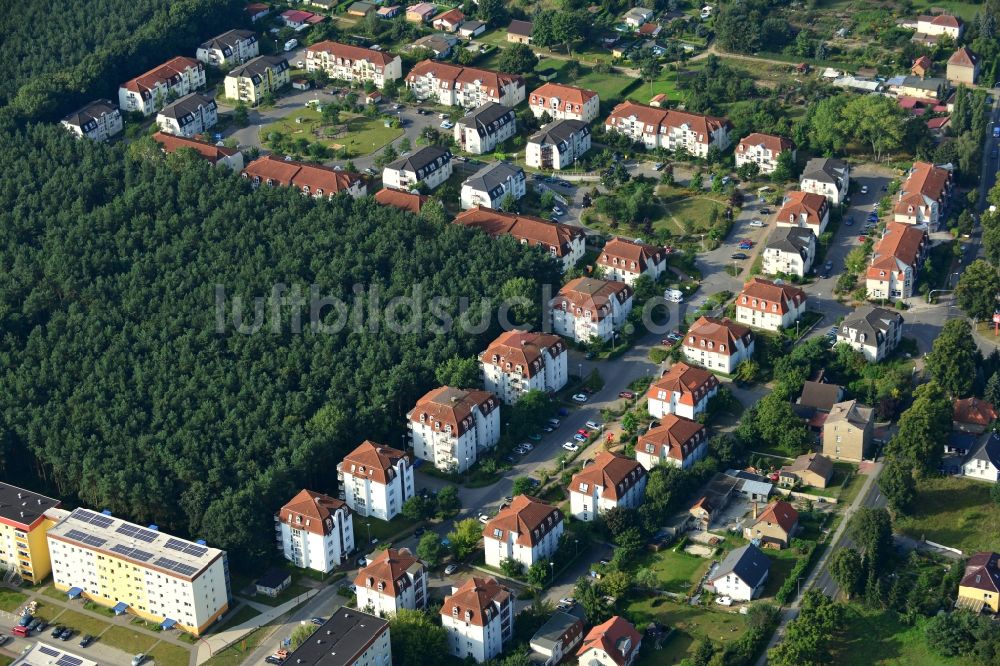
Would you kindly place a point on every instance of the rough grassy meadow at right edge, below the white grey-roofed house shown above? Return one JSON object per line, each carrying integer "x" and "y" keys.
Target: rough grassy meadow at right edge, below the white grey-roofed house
{"x": 955, "y": 512}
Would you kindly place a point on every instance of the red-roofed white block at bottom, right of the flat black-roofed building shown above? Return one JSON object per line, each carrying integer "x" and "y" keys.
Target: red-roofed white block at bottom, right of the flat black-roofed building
{"x": 479, "y": 619}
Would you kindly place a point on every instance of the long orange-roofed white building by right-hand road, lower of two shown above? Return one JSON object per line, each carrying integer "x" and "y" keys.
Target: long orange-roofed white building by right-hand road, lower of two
{"x": 892, "y": 273}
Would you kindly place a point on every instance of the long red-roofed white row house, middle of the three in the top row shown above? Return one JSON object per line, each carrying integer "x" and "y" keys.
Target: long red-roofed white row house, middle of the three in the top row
{"x": 453, "y": 85}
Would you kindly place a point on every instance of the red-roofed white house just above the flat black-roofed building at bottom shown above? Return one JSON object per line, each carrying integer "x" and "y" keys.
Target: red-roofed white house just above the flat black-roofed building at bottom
{"x": 395, "y": 579}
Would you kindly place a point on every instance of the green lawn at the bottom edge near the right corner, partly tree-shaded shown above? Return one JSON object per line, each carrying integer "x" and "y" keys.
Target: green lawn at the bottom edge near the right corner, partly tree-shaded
{"x": 880, "y": 639}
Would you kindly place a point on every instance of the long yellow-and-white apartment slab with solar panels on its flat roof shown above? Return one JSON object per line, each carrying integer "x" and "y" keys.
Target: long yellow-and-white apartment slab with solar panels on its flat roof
{"x": 139, "y": 570}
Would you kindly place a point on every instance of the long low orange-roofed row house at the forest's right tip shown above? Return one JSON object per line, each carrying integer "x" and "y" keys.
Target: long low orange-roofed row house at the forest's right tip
{"x": 563, "y": 242}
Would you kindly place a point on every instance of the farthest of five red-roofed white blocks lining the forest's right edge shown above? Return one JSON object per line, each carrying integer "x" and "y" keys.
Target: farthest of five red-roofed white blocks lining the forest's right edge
{"x": 587, "y": 309}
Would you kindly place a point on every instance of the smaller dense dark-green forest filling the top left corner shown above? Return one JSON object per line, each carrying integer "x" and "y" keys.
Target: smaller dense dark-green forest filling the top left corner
{"x": 56, "y": 57}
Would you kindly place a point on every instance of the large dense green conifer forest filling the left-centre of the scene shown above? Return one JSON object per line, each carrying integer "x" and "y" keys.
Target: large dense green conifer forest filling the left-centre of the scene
{"x": 116, "y": 388}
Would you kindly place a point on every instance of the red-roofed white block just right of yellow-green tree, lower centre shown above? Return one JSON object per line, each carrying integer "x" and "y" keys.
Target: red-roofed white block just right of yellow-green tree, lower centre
{"x": 526, "y": 531}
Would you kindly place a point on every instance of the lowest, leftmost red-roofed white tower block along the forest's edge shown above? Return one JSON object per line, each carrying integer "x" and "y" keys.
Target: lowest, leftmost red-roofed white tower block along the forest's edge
{"x": 315, "y": 531}
